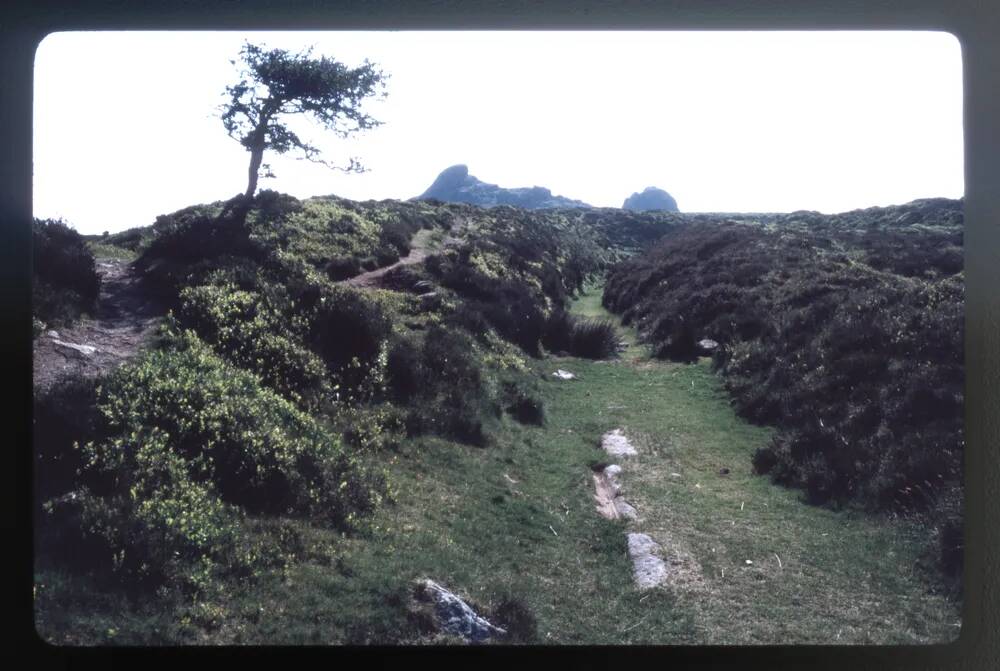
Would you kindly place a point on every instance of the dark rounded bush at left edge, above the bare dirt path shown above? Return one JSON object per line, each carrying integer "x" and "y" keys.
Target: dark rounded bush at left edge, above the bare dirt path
{"x": 64, "y": 283}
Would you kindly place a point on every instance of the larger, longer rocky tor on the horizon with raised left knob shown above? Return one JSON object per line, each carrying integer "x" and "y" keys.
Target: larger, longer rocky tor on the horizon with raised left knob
{"x": 456, "y": 185}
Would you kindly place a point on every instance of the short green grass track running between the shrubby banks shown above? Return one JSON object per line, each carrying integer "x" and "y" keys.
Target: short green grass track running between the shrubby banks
{"x": 517, "y": 519}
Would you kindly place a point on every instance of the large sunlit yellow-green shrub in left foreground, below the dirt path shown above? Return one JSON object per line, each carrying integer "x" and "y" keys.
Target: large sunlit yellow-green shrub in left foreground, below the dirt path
{"x": 190, "y": 447}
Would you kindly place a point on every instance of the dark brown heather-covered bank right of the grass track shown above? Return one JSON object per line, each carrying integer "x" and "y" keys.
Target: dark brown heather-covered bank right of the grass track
{"x": 845, "y": 331}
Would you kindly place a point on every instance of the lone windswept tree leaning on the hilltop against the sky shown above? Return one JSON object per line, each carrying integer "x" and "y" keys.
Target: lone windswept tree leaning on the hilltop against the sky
{"x": 275, "y": 84}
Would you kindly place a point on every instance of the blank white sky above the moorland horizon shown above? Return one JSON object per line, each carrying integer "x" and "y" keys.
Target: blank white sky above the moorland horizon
{"x": 126, "y": 124}
